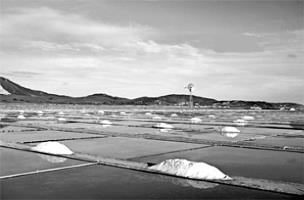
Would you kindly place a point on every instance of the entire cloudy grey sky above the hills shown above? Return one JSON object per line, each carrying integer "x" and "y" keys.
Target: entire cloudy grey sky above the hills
{"x": 230, "y": 50}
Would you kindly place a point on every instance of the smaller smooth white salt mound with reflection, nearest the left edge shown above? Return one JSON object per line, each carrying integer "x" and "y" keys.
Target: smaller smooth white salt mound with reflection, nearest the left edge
{"x": 52, "y": 147}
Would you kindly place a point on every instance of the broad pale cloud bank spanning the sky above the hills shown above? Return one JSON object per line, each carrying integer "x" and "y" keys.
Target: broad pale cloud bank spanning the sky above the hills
{"x": 93, "y": 56}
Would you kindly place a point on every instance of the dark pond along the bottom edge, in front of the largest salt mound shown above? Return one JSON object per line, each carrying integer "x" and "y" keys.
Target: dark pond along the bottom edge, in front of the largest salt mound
{"x": 102, "y": 182}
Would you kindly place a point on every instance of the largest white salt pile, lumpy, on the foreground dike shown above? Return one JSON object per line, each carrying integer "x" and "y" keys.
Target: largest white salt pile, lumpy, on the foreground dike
{"x": 190, "y": 169}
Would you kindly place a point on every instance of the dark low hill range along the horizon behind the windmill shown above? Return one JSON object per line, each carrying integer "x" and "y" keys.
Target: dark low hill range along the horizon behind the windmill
{"x": 11, "y": 92}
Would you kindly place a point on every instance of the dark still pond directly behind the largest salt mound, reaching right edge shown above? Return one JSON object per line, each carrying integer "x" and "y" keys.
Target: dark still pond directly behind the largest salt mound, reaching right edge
{"x": 272, "y": 165}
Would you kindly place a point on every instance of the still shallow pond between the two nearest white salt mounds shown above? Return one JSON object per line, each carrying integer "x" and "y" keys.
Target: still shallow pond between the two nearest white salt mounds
{"x": 121, "y": 147}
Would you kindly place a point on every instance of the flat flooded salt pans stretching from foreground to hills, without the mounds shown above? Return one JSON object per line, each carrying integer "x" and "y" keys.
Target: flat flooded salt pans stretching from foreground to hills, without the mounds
{"x": 269, "y": 146}
